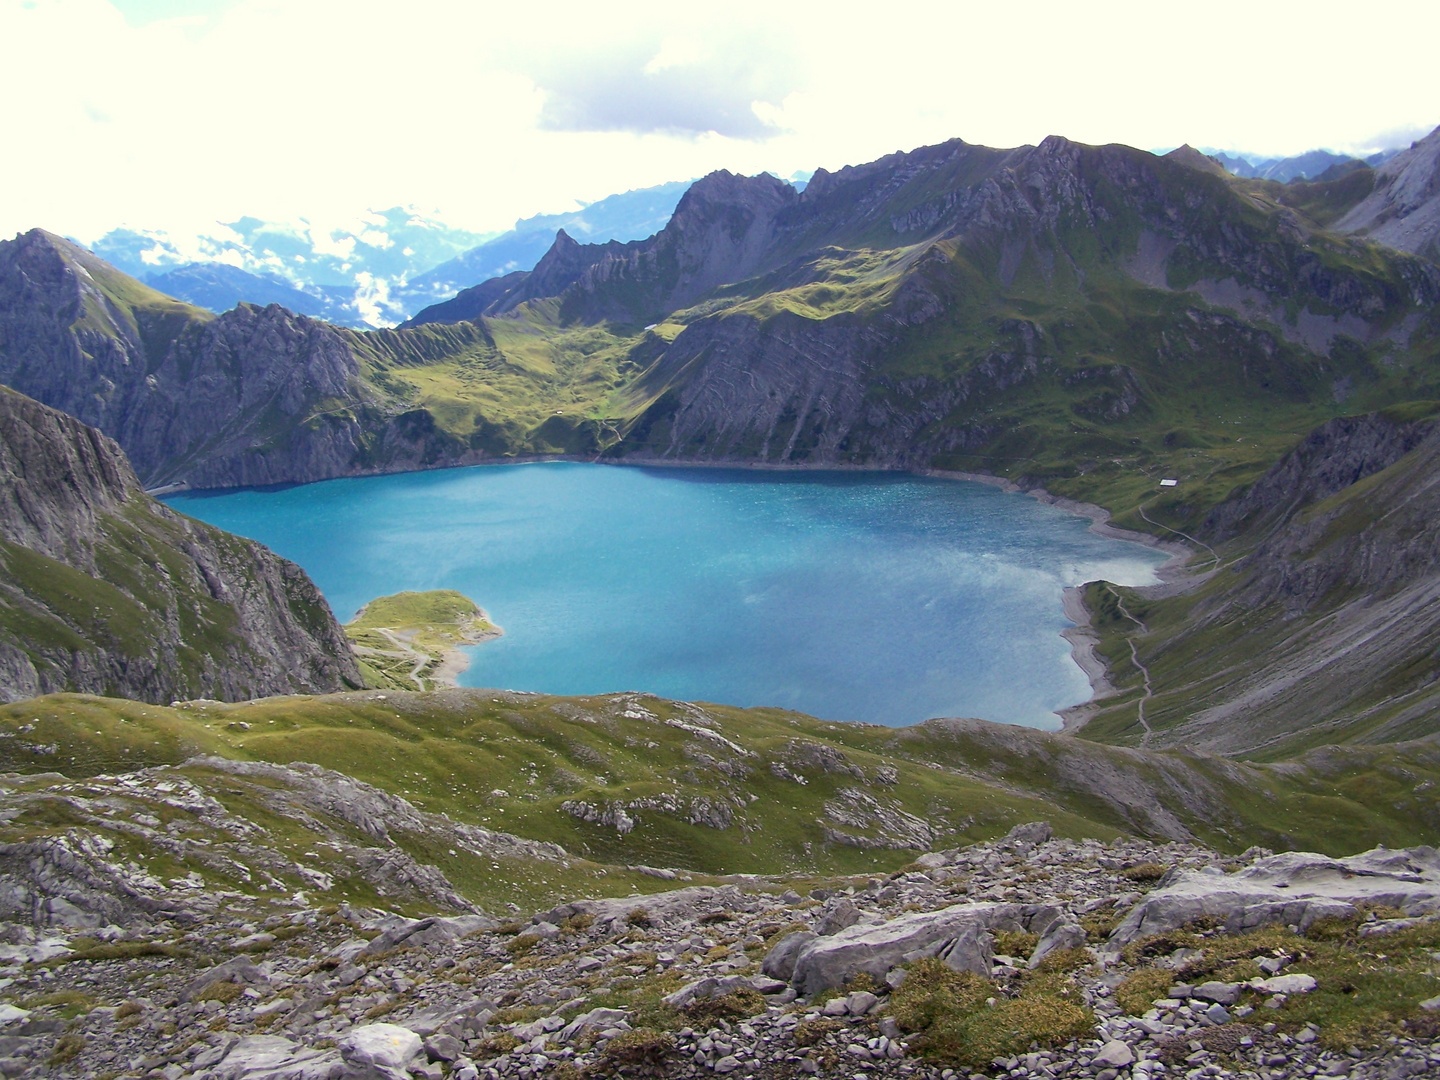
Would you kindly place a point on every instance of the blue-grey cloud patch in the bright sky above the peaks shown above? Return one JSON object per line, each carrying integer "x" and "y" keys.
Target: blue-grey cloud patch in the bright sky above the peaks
{"x": 680, "y": 86}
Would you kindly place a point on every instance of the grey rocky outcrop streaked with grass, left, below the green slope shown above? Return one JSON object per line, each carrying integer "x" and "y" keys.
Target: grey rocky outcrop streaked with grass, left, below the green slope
{"x": 78, "y": 879}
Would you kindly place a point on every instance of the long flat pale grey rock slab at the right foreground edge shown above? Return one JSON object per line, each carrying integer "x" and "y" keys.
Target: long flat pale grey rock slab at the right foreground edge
{"x": 1295, "y": 889}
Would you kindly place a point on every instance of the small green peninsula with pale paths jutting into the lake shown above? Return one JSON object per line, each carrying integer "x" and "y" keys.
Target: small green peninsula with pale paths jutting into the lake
{"x": 411, "y": 640}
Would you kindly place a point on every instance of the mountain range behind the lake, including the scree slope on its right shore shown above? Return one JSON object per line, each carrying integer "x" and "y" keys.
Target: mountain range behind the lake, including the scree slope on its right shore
{"x": 1076, "y": 320}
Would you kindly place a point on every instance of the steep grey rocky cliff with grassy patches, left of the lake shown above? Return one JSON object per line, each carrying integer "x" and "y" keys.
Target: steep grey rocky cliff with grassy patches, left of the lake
{"x": 106, "y": 591}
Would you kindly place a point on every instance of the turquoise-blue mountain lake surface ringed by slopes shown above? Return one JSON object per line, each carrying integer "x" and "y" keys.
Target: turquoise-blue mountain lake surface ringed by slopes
{"x": 846, "y": 595}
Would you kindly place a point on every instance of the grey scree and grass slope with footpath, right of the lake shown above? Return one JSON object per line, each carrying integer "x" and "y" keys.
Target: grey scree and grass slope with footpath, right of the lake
{"x": 1321, "y": 621}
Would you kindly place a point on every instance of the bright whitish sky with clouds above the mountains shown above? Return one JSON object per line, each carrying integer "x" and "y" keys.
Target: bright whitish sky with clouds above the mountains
{"x": 176, "y": 114}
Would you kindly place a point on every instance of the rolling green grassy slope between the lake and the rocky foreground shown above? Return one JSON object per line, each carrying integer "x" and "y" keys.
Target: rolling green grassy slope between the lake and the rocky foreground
{"x": 629, "y": 780}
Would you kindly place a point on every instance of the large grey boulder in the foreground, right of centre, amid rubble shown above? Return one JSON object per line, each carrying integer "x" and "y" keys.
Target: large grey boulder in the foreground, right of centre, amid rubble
{"x": 876, "y": 950}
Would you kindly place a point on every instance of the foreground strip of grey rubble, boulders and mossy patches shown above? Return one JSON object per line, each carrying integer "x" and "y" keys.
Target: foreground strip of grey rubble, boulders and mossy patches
{"x": 1026, "y": 957}
